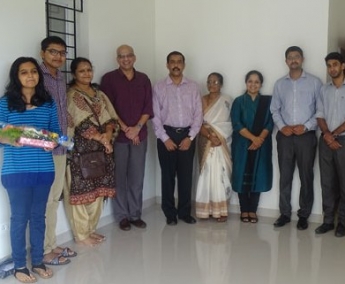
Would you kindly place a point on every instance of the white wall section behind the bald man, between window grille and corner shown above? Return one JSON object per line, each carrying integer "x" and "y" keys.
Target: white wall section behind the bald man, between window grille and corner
{"x": 124, "y": 22}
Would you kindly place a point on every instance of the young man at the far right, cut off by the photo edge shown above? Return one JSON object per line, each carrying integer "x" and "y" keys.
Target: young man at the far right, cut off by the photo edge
{"x": 331, "y": 120}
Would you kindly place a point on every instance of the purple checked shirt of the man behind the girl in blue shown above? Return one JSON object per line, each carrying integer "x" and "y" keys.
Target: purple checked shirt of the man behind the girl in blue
{"x": 56, "y": 87}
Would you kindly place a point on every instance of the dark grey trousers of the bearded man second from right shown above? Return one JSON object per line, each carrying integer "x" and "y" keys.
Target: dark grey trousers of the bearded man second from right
{"x": 300, "y": 149}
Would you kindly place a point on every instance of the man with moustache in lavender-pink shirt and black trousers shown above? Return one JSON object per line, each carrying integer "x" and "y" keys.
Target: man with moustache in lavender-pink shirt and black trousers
{"x": 177, "y": 120}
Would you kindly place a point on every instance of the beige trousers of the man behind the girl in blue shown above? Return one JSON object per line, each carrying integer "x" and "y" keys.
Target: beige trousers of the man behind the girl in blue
{"x": 53, "y": 203}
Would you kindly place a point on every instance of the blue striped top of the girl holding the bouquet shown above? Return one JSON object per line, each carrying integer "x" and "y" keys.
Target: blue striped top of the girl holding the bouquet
{"x": 28, "y": 159}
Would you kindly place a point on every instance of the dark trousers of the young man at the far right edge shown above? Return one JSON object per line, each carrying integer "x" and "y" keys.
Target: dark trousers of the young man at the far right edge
{"x": 332, "y": 171}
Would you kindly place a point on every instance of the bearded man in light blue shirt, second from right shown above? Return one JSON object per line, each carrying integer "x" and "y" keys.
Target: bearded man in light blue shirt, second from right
{"x": 293, "y": 109}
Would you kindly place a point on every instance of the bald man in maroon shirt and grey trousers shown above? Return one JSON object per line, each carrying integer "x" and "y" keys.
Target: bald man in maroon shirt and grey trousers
{"x": 131, "y": 95}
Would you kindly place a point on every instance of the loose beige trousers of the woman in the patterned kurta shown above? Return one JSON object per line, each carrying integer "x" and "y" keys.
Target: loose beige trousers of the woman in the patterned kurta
{"x": 83, "y": 218}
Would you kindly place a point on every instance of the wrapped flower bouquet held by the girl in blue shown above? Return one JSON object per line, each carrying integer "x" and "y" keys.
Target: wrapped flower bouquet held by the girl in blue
{"x": 30, "y": 136}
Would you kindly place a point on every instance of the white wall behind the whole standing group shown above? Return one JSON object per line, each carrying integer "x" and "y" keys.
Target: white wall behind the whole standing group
{"x": 229, "y": 36}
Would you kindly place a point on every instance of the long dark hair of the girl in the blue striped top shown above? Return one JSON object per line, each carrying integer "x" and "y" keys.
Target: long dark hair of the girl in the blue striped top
{"x": 14, "y": 87}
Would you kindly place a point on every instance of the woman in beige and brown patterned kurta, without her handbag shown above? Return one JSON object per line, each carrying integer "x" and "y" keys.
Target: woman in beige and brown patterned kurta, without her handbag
{"x": 85, "y": 195}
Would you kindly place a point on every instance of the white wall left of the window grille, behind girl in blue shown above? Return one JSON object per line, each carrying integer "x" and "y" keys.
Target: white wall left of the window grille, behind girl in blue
{"x": 21, "y": 34}
